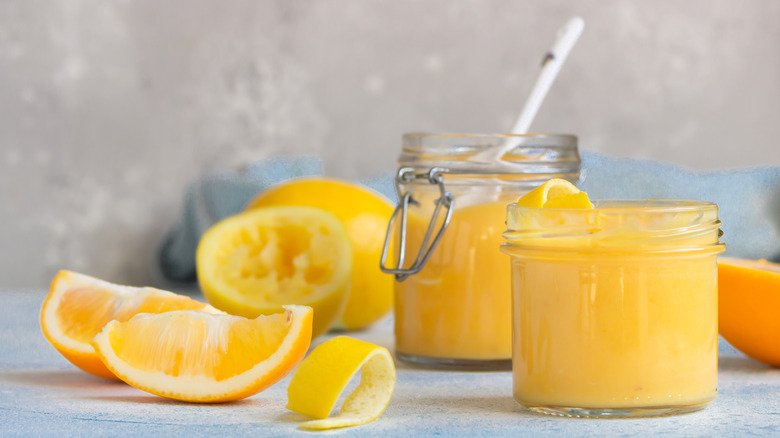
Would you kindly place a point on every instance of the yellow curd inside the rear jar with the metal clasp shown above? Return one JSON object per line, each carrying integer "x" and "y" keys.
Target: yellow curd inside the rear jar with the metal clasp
{"x": 459, "y": 305}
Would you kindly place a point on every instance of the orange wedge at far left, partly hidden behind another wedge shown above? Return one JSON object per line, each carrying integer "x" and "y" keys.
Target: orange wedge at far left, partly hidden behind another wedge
{"x": 79, "y": 306}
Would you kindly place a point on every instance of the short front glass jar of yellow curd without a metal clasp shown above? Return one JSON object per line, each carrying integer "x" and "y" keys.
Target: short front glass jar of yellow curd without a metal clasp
{"x": 615, "y": 308}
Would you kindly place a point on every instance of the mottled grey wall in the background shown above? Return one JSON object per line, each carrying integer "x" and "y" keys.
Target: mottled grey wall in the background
{"x": 108, "y": 109}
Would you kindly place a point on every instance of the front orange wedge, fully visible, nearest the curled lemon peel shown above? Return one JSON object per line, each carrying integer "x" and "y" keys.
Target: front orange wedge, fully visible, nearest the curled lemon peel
{"x": 201, "y": 357}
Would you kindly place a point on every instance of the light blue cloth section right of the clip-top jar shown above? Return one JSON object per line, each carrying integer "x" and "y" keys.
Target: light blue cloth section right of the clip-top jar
{"x": 748, "y": 199}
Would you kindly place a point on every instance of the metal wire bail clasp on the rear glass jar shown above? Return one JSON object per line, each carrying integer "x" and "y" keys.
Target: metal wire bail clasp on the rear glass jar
{"x": 445, "y": 201}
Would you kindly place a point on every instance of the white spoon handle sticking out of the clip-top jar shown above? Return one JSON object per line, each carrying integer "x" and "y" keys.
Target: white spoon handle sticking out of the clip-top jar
{"x": 565, "y": 39}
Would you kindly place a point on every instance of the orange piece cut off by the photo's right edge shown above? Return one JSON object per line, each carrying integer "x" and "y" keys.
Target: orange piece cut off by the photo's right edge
{"x": 748, "y": 307}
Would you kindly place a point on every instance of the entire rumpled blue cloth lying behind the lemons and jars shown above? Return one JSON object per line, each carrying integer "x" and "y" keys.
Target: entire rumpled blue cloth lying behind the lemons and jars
{"x": 749, "y": 201}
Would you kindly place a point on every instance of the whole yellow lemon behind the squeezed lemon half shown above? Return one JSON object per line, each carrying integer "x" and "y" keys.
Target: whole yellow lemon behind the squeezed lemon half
{"x": 365, "y": 215}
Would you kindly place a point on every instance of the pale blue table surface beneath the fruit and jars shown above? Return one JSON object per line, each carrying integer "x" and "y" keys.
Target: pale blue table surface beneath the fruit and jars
{"x": 41, "y": 394}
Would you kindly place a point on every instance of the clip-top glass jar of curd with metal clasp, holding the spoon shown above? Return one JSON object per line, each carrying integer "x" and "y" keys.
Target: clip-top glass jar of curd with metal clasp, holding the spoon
{"x": 452, "y": 289}
